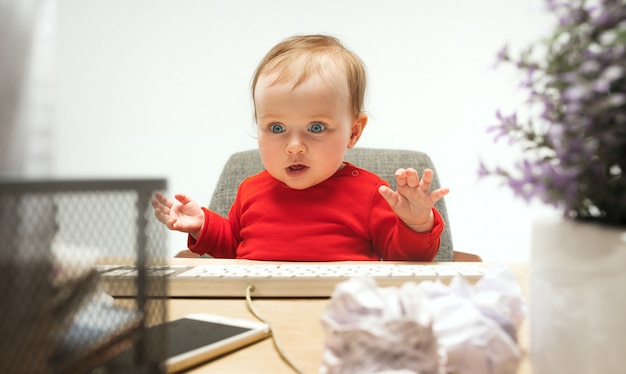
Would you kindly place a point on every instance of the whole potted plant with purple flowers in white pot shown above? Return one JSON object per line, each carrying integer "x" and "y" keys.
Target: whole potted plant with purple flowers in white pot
{"x": 572, "y": 142}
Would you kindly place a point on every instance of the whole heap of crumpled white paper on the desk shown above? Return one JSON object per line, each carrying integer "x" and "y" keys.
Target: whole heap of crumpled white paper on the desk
{"x": 425, "y": 328}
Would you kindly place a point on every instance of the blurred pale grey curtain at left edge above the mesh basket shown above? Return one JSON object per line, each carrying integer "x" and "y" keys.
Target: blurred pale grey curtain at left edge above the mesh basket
{"x": 27, "y": 89}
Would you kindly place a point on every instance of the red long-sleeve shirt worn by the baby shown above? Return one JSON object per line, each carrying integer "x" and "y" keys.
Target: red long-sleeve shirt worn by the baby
{"x": 343, "y": 218}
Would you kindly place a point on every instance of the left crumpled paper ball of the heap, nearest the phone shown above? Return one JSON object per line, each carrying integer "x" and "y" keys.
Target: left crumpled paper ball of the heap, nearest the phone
{"x": 371, "y": 329}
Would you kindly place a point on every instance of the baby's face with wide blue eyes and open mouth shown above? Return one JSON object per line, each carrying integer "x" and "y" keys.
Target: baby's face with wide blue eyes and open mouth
{"x": 303, "y": 132}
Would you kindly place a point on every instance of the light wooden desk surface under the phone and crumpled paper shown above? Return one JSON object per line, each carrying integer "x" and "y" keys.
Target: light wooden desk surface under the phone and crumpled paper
{"x": 297, "y": 325}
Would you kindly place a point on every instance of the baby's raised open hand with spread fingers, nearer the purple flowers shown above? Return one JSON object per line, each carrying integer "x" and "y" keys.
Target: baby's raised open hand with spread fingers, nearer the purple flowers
{"x": 412, "y": 202}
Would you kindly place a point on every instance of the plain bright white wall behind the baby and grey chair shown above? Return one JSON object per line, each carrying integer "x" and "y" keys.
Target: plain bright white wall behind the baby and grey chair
{"x": 161, "y": 88}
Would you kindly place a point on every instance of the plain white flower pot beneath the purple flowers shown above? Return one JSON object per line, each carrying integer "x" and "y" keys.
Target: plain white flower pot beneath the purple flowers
{"x": 577, "y": 298}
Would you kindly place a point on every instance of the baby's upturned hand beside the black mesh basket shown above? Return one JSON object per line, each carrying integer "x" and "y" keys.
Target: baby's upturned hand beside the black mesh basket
{"x": 183, "y": 214}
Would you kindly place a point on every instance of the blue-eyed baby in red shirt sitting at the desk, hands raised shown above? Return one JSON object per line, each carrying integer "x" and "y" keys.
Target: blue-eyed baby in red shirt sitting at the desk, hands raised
{"x": 309, "y": 204}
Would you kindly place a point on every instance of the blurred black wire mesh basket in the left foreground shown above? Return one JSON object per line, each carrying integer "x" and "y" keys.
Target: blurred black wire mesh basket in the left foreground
{"x": 56, "y": 315}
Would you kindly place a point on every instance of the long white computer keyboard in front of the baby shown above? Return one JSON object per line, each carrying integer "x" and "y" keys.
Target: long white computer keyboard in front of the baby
{"x": 277, "y": 280}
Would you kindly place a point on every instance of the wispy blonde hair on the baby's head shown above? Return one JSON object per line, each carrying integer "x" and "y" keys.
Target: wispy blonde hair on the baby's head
{"x": 298, "y": 57}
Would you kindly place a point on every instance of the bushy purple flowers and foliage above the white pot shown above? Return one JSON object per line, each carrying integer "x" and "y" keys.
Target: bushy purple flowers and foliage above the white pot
{"x": 574, "y": 141}
